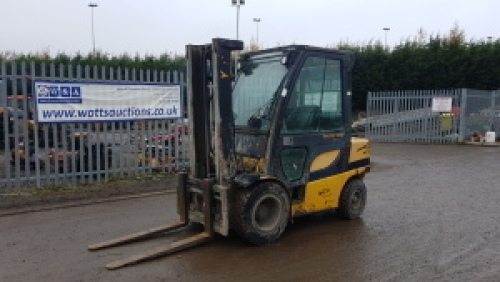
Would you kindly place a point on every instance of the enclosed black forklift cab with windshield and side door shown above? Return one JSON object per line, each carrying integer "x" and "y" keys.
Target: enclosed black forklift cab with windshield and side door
{"x": 292, "y": 116}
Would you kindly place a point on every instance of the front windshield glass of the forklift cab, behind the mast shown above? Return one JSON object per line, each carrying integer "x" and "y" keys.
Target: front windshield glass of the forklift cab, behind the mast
{"x": 254, "y": 92}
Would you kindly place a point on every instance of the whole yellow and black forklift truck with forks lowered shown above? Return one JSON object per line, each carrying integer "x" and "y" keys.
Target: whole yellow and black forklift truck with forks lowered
{"x": 273, "y": 144}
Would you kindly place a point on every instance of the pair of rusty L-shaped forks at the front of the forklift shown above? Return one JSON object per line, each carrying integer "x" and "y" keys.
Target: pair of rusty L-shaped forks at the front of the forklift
{"x": 183, "y": 210}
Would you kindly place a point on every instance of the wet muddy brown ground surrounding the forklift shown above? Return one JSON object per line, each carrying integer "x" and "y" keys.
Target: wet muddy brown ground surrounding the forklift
{"x": 432, "y": 215}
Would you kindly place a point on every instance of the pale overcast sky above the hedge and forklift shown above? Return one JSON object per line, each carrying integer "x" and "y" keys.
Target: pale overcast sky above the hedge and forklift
{"x": 159, "y": 26}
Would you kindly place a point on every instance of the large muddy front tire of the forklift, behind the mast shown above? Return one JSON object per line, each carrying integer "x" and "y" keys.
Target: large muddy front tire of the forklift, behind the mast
{"x": 260, "y": 215}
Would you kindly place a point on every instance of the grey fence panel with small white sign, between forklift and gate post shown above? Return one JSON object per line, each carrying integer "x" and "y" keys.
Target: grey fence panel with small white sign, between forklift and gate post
{"x": 407, "y": 116}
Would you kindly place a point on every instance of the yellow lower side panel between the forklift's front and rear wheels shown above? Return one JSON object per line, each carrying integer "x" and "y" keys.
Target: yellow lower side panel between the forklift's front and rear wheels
{"x": 324, "y": 194}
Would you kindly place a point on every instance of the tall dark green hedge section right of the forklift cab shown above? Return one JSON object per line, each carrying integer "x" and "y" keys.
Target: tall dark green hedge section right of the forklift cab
{"x": 440, "y": 63}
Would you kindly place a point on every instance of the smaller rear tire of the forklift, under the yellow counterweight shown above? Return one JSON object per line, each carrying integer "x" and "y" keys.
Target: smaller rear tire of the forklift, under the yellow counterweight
{"x": 352, "y": 200}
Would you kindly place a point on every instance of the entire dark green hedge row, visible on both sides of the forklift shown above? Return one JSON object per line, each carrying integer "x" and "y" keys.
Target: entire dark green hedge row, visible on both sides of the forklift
{"x": 433, "y": 62}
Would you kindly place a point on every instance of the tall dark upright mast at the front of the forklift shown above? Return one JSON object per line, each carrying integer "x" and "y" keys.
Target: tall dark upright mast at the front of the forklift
{"x": 209, "y": 87}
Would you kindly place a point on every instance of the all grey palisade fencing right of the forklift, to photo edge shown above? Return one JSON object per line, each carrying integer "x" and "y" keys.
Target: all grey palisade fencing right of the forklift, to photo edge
{"x": 407, "y": 116}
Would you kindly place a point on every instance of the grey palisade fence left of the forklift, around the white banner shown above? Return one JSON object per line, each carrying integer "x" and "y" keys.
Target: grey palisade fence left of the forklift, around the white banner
{"x": 69, "y": 154}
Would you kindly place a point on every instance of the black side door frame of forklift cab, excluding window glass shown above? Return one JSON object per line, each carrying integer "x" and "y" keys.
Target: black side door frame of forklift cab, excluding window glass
{"x": 313, "y": 143}
